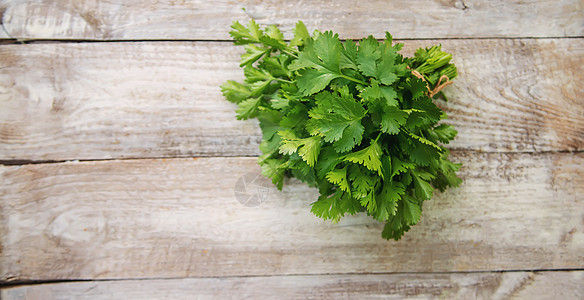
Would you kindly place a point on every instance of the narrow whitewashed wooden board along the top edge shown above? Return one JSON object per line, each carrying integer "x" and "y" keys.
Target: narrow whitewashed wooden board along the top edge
{"x": 210, "y": 20}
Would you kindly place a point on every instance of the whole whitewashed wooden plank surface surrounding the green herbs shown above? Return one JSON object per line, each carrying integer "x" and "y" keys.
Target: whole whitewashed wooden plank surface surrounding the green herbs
{"x": 120, "y": 157}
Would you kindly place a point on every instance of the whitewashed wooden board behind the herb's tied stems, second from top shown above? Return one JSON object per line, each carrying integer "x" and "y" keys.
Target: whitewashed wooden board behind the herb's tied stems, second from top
{"x": 135, "y": 100}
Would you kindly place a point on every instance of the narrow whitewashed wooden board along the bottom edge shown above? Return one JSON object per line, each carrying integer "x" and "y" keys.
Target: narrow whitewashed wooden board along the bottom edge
{"x": 492, "y": 286}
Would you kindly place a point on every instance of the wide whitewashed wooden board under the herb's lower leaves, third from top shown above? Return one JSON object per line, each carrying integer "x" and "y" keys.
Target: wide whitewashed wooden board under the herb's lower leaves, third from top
{"x": 194, "y": 217}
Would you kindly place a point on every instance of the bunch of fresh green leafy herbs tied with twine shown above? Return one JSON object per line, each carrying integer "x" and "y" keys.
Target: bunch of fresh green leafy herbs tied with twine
{"x": 355, "y": 120}
